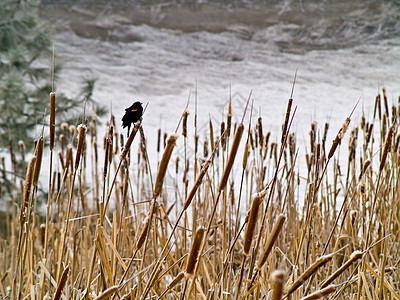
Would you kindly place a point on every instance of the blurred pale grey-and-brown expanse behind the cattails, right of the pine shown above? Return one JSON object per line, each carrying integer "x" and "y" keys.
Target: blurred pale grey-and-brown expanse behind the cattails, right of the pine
{"x": 159, "y": 52}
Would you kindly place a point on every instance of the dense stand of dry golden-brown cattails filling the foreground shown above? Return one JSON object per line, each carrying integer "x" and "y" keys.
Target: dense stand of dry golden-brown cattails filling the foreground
{"x": 257, "y": 219}
